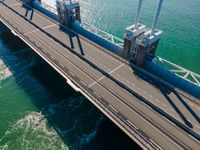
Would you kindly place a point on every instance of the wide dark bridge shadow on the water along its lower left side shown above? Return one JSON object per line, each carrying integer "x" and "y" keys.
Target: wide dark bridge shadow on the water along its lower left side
{"x": 78, "y": 123}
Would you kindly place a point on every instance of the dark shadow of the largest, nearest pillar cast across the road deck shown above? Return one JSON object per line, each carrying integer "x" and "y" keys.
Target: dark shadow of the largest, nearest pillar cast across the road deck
{"x": 166, "y": 92}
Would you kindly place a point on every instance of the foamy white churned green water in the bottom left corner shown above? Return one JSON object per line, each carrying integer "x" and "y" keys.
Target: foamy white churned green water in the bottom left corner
{"x": 32, "y": 132}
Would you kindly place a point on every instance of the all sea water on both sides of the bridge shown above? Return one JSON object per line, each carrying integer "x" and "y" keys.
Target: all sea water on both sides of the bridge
{"x": 38, "y": 110}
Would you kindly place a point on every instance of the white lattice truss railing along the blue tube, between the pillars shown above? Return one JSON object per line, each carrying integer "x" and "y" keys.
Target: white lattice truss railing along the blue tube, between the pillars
{"x": 178, "y": 70}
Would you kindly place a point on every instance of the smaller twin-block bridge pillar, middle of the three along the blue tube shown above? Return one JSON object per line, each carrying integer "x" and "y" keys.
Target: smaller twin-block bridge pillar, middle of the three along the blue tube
{"x": 68, "y": 11}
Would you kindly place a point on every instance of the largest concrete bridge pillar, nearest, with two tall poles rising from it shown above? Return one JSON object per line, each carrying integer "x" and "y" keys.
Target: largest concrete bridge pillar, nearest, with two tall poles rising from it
{"x": 140, "y": 43}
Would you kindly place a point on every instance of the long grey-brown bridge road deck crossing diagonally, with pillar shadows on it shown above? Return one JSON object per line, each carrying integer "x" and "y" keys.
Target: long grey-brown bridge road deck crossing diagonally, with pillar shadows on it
{"x": 151, "y": 111}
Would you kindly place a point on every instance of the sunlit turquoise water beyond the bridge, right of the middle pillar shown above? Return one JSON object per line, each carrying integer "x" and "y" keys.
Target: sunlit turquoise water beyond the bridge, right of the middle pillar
{"x": 179, "y": 21}
